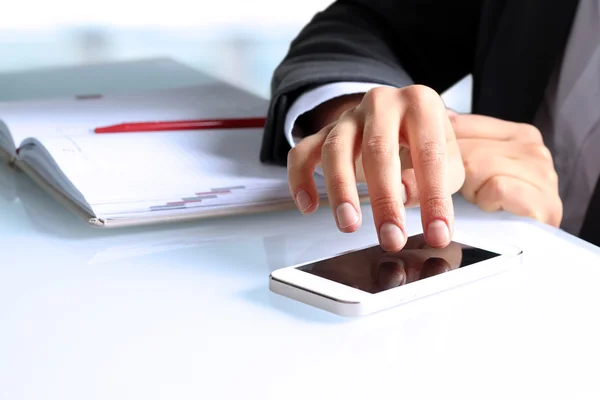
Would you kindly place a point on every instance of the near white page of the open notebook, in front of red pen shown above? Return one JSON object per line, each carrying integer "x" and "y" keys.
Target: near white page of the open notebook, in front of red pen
{"x": 141, "y": 171}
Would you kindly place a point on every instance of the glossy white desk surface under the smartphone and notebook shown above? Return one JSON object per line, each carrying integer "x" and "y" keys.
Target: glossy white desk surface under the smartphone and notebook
{"x": 184, "y": 312}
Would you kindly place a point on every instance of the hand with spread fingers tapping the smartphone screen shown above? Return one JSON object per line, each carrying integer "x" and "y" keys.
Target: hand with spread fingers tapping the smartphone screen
{"x": 376, "y": 127}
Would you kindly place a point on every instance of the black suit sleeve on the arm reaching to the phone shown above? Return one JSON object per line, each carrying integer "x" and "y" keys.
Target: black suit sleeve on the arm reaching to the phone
{"x": 393, "y": 42}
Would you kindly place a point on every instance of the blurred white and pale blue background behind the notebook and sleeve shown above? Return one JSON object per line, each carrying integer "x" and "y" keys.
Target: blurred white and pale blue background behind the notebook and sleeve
{"x": 239, "y": 41}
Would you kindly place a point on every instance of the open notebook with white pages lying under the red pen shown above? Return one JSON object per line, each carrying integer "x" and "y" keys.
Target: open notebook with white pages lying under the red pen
{"x": 126, "y": 179}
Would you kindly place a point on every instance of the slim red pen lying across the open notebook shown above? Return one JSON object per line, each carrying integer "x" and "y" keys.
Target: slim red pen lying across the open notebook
{"x": 235, "y": 123}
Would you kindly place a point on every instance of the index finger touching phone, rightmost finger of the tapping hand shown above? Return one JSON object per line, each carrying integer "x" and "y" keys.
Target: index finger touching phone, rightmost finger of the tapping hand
{"x": 428, "y": 129}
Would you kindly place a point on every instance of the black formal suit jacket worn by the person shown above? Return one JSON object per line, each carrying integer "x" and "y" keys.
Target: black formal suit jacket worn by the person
{"x": 511, "y": 47}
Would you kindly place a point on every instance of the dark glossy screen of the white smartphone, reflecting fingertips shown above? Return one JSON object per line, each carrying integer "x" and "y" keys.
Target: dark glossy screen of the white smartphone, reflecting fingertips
{"x": 374, "y": 270}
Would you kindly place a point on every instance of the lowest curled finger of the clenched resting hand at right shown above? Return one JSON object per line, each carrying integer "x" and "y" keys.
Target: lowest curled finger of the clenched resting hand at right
{"x": 520, "y": 198}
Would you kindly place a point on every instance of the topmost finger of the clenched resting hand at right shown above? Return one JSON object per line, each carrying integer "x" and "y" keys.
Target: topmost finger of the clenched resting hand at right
{"x": 479, "y": 126}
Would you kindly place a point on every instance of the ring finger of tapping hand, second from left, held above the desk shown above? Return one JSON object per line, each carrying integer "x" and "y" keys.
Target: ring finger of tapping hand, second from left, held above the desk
{"x": 340, "y": 149}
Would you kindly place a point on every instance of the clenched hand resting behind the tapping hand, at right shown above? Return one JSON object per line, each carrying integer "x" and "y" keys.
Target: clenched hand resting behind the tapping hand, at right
{"x": 507, "y": 168}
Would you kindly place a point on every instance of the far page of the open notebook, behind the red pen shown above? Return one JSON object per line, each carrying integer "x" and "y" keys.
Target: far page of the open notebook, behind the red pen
{"x": 81, "y": 114}
